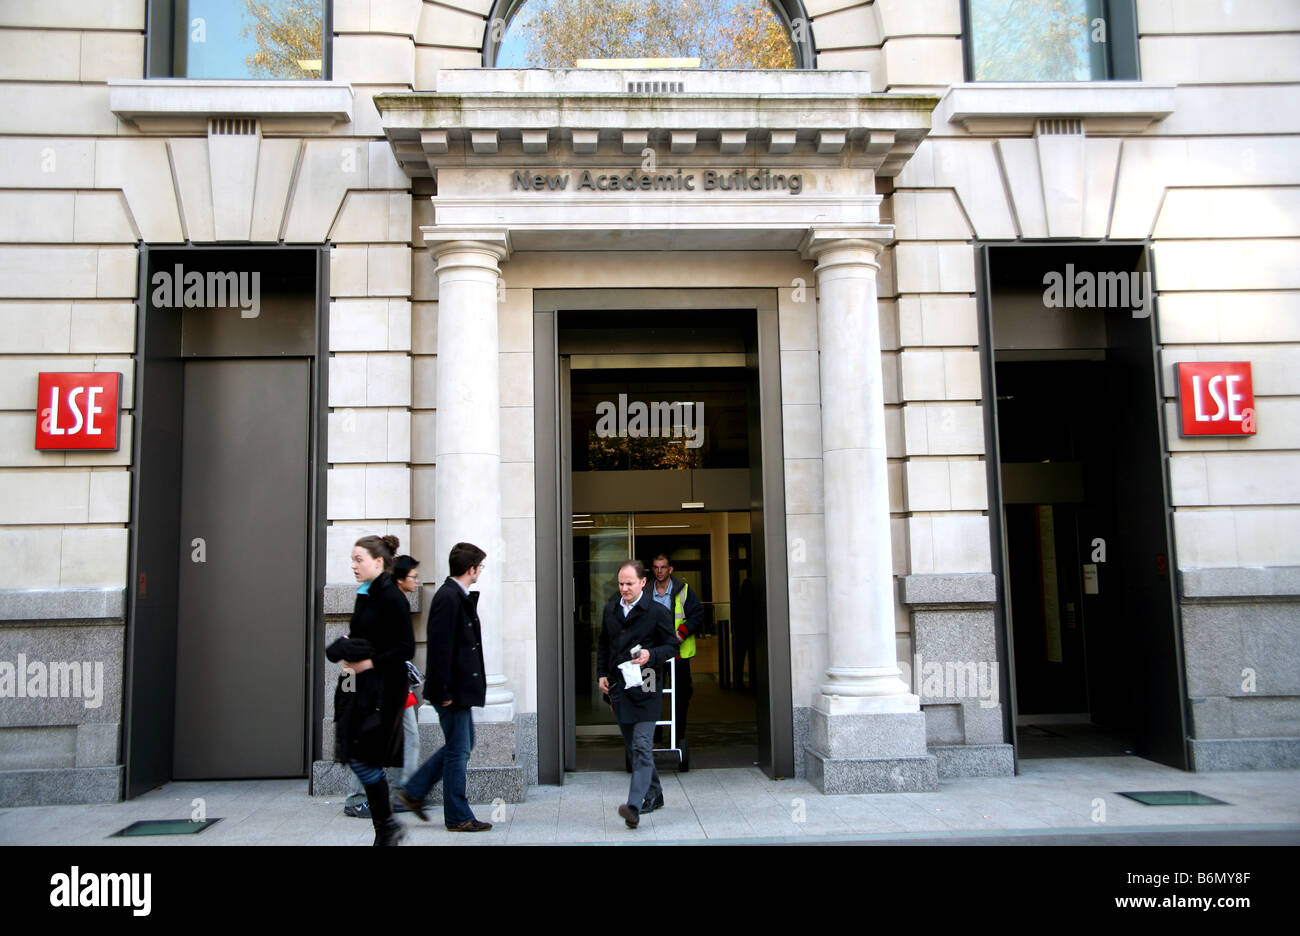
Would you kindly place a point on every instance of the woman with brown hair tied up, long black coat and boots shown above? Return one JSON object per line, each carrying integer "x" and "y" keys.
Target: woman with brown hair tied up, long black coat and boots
{"x": 372, "y": 690}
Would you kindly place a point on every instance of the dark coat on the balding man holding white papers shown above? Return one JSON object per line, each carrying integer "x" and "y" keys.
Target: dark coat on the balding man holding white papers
{"x": 651, "y": 626}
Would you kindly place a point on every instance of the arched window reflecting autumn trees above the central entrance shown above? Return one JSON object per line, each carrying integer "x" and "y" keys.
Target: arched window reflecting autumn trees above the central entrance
{"x": 726, "y": 34}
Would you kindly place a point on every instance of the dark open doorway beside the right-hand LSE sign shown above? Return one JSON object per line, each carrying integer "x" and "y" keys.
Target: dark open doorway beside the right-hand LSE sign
{"x": 1087, "y": 564}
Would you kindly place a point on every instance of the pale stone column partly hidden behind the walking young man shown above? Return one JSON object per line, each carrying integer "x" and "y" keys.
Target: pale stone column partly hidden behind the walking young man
{"x": 467, "y": 473}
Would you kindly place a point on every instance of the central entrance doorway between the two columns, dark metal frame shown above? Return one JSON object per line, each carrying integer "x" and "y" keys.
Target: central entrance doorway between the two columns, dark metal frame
{"x": 666, "y": 419}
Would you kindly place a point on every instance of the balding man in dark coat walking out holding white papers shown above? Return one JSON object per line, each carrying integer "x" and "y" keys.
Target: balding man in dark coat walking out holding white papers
{"x": 634, "y": 621}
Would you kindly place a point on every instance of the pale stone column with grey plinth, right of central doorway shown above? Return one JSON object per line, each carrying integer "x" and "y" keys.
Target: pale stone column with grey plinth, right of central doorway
{"x": 868, "y": 733}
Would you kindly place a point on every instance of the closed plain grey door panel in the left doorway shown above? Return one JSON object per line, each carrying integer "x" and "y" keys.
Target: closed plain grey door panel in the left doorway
{"x": 242, "y": 616}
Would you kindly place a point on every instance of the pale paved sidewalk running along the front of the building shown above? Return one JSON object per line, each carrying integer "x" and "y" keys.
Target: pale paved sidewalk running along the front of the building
{"x": 1068, "y": 798}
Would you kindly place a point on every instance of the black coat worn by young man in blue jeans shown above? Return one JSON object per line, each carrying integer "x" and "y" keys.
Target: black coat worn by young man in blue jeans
{"x": 454, "y": 670}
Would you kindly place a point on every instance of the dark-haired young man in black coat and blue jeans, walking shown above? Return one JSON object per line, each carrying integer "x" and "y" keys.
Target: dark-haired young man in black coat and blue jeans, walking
{"x": 454, "y": 683}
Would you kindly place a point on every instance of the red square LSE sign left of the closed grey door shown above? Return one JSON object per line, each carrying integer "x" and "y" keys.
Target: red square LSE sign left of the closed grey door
{"x": 77, "y": 411}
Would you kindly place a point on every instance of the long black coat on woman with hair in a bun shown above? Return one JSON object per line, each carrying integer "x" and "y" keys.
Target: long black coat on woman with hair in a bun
{"x": 369, "y": 717}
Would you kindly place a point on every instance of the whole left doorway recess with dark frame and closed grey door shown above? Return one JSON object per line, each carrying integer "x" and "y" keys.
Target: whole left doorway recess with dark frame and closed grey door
{"x": 227, "y": 556}
